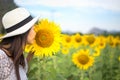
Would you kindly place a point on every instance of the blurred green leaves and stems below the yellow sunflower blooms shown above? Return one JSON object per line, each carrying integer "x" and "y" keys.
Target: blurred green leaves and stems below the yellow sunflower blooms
{"x": 61, "y": 67}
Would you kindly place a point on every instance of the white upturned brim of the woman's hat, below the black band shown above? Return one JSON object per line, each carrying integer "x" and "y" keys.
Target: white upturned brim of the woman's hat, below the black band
{"x": 22, "y": 29}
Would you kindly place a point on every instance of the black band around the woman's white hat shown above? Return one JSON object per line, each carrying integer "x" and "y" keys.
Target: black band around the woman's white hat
{"x": 12, "y": 28}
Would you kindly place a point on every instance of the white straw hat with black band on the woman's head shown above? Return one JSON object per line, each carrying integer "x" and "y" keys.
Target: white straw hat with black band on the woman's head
{"x": 17, "y": 21}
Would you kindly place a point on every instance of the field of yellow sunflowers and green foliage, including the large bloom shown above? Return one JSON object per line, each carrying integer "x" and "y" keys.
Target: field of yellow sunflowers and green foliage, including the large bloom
{"x": 60, "y": 56}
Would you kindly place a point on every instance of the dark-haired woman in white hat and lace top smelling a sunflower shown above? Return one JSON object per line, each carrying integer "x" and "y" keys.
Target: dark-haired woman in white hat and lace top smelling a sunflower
{"x": 19, "y": 26}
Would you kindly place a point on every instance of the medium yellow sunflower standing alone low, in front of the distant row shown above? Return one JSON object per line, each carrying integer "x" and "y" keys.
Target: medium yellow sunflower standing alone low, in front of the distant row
{"x": 82, "y": 59}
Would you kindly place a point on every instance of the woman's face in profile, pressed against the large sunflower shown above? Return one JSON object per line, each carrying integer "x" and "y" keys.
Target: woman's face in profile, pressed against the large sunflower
{"x": 31, "y": 36}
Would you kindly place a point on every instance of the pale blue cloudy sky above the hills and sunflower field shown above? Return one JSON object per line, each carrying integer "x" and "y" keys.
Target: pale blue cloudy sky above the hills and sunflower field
{"x": 77, "y": 15}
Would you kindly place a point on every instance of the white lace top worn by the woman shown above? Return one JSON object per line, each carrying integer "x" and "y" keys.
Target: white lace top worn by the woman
{"x": 7, "y": 69}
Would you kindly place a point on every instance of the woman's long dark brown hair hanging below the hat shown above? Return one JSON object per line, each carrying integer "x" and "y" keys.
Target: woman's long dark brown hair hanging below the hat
{"x": 16, "y": 49}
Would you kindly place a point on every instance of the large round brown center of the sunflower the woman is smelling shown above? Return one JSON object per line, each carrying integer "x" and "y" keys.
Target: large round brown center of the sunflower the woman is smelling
{"x": 44, "y": 38}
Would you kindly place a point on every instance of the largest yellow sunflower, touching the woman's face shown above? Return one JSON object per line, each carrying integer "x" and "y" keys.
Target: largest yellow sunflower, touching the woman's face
{"x": 48, "y": 38}
